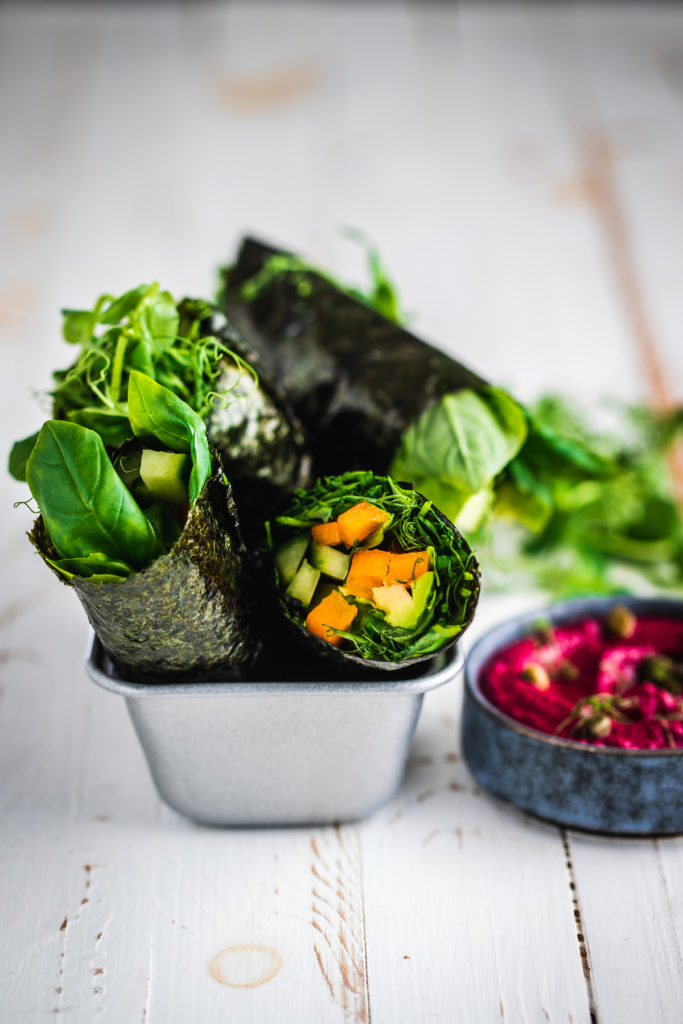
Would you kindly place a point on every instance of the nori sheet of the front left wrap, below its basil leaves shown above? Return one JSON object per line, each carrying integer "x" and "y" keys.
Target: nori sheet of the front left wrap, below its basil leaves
{"x": 189, "y": 616}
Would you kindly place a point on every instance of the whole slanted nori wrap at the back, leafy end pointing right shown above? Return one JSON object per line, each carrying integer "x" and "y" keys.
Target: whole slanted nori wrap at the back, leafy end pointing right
{"x": 371, "y": 395}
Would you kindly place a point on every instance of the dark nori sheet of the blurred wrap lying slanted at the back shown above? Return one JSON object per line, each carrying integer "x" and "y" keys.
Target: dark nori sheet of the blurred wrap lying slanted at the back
{"x": 356, "y": 380}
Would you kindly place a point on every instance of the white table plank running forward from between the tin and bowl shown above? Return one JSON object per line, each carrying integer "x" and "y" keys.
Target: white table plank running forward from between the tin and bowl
{"x": 488, "y": 931}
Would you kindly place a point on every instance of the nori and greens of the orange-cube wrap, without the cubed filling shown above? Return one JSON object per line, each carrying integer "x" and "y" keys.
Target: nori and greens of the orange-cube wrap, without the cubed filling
{"x": 373, "y": 649}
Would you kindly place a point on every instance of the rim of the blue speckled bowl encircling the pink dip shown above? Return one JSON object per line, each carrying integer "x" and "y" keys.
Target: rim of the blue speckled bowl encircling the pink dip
{"x": 560, "y": 613}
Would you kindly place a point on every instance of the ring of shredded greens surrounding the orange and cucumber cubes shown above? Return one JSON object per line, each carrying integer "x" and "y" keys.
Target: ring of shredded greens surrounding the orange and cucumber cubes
{"x": 415, "y": 526}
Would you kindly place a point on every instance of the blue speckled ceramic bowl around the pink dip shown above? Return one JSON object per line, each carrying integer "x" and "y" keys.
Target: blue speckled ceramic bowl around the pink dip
{"x": 608, "y": 790}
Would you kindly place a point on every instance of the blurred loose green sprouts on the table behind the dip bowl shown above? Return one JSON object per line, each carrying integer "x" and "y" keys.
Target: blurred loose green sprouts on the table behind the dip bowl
{"x": 587, "y": 510}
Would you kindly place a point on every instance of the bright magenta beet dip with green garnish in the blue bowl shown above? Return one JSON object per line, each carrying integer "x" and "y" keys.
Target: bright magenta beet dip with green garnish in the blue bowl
{"x": 616, "y": 681}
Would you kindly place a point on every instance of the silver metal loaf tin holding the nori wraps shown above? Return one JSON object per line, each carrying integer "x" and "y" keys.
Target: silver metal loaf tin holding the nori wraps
{"x": 275, "y": 754}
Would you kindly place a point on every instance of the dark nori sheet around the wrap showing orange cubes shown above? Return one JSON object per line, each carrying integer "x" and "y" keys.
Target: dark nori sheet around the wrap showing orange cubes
{"x": 308, "y": 657}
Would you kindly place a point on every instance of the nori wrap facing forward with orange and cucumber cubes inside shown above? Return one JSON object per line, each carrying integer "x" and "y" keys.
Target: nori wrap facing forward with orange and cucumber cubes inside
{"x": 369, "y": 577}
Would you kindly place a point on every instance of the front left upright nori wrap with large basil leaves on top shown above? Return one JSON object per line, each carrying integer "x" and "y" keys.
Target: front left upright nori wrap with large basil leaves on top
{"x": 148, "y": 537}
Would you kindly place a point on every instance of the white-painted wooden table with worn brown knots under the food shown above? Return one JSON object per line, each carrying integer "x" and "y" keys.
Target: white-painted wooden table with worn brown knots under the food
{"x": 522, "y": 169}
